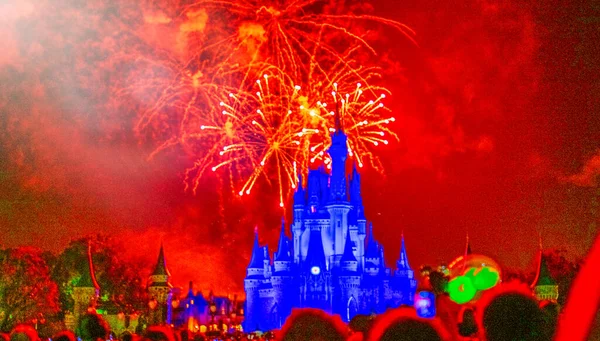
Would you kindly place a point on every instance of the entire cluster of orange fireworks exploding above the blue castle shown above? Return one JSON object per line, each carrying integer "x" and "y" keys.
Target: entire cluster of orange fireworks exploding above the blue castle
{"x": 252, "y": 96}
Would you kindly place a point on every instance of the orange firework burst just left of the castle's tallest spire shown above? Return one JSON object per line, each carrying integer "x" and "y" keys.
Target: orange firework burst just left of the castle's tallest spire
{"x": 259, "y": 135}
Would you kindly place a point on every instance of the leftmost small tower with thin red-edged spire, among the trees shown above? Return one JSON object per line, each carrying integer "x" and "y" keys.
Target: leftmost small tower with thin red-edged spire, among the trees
{"x": 86, "y": 291}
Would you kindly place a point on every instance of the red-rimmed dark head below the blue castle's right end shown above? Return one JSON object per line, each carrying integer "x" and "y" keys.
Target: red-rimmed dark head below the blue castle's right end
{"x": 404, "y": 325}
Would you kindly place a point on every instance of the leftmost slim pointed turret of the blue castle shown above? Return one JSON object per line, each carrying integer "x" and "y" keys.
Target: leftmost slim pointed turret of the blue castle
{"x": 254, "y": 278}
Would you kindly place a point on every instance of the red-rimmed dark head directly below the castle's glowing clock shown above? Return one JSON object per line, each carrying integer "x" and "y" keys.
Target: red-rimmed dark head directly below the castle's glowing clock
{"x": 312, "y": 324}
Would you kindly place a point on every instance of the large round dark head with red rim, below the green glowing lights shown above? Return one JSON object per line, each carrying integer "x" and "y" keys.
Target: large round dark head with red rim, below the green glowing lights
{"x": 510, "y": 312}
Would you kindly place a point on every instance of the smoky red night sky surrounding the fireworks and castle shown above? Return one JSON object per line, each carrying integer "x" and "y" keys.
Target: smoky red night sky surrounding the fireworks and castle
{"x": 497, "y": 110}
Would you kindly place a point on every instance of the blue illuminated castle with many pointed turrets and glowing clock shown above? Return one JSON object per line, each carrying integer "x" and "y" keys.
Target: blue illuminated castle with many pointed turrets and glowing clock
{"x": 332, "y": 261}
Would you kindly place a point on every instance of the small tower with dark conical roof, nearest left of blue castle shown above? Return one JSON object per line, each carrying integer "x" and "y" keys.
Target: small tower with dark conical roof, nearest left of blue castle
{"x": 159, "y": 291}
